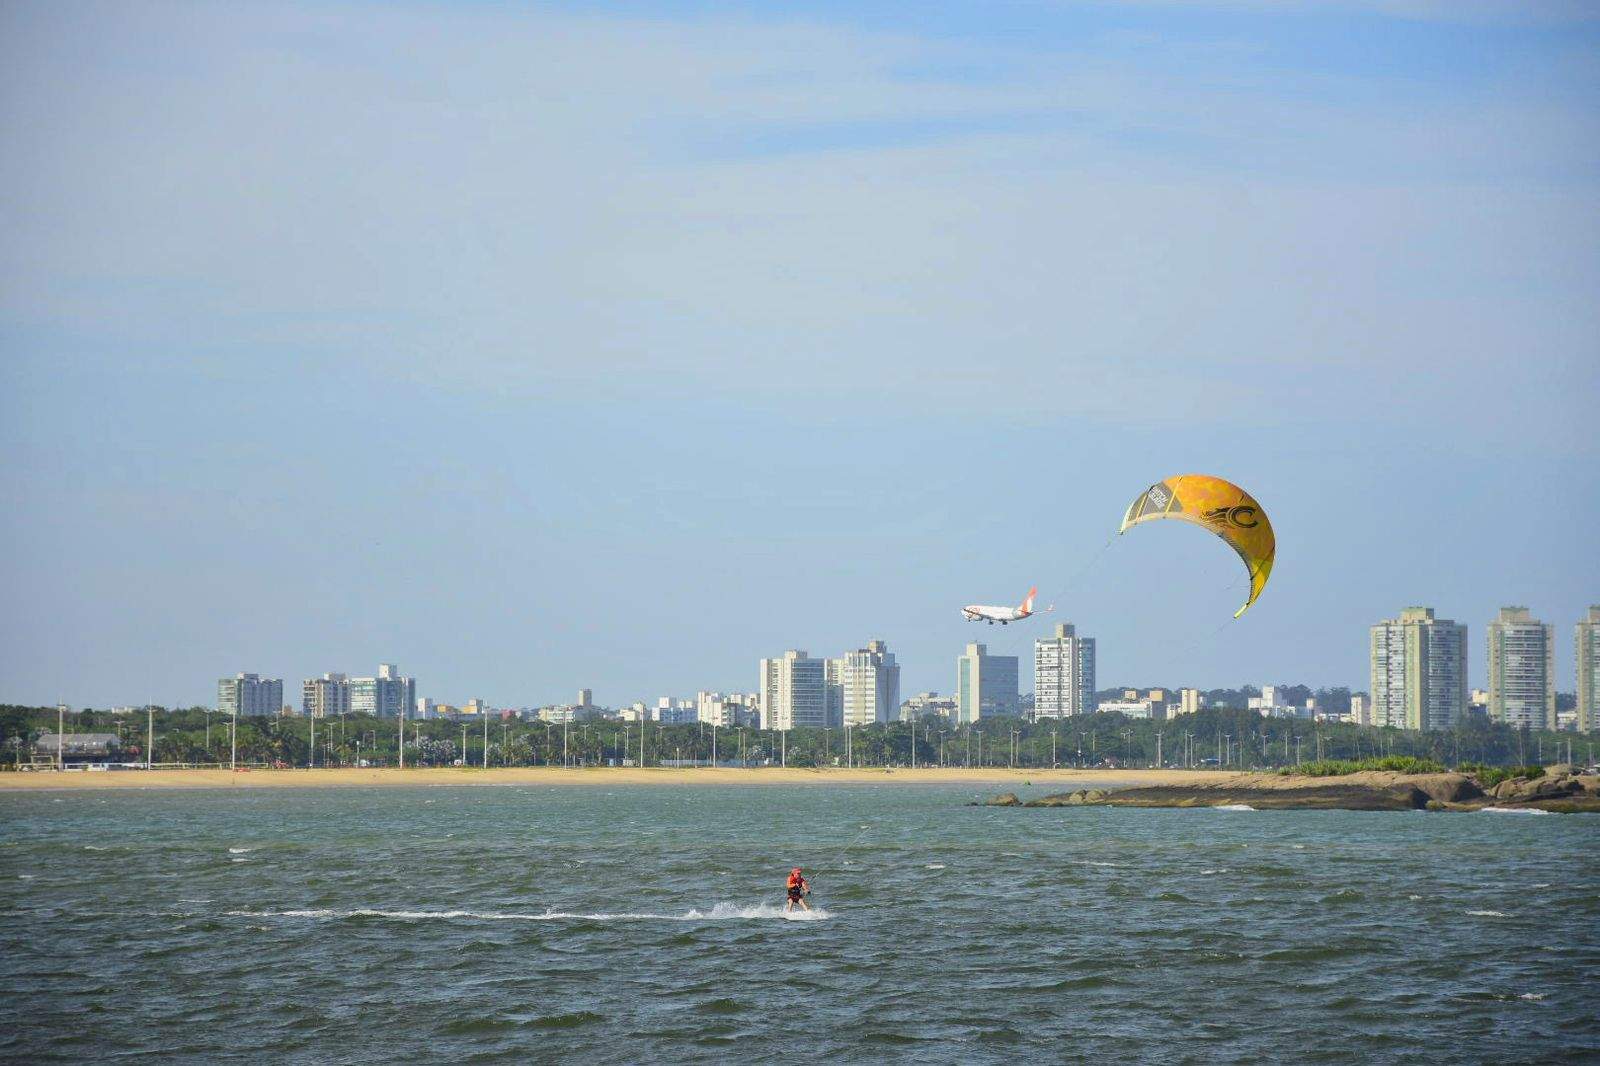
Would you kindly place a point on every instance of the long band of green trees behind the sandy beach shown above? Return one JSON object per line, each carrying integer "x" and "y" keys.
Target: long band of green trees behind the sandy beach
{"x": 1214, "y": 737}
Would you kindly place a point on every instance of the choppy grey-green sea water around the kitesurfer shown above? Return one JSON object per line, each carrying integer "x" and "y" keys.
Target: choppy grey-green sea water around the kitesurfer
{"x": 633, "y": 924}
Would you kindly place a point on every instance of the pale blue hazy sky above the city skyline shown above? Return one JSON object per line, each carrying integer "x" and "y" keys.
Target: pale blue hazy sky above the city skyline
{"x": 622, "y": 345}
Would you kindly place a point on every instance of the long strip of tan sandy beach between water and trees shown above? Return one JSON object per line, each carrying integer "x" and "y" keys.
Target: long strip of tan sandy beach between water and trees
{"x": 586, "y": 777}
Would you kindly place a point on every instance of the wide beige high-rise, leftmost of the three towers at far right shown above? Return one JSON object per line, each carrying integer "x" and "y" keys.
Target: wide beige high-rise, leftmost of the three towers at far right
{"x": 1420, "y": 671}
